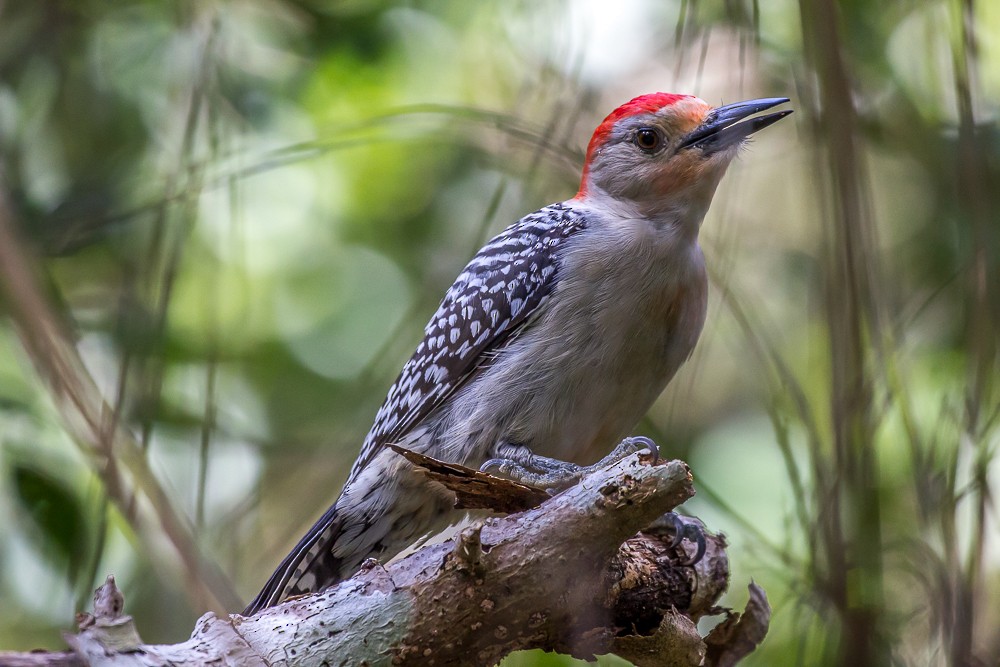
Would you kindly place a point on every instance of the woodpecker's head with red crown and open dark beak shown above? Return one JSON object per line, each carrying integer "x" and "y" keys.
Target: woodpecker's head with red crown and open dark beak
{"x": 664, "y": 152}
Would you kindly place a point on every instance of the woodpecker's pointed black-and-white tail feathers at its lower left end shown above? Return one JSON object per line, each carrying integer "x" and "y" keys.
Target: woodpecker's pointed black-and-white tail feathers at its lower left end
{"x": 309, "y": 567}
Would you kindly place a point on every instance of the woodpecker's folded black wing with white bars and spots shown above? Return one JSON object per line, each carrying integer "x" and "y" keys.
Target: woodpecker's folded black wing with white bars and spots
{"x": 496, "y": 294}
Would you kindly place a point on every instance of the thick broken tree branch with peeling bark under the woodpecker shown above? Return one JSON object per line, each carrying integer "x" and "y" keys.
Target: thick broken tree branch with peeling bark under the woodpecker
{"x": 556, "y": 577}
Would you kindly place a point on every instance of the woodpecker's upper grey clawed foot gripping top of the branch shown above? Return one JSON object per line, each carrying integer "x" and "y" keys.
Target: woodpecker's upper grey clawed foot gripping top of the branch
{"x": 520, "y": 464}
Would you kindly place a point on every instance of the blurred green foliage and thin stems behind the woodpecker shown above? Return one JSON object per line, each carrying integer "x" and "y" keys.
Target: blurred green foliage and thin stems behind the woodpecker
{"x": 245, "y": 211}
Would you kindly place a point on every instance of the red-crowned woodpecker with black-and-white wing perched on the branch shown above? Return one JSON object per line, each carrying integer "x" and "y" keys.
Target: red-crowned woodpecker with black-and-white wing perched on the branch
{"x": 556, "y": 337}
